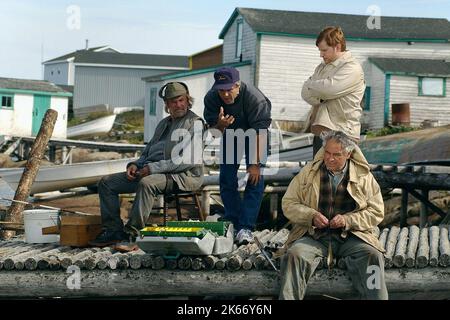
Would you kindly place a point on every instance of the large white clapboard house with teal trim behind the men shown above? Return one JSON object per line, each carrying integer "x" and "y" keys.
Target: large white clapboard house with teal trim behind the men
{"x": 280, "y": 47}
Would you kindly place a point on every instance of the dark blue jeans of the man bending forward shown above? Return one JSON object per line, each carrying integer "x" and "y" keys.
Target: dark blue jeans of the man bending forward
{"x": 241, "y": 212}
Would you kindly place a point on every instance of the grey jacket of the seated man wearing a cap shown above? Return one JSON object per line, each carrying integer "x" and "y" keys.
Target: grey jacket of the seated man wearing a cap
{"x": 185, "y": 165}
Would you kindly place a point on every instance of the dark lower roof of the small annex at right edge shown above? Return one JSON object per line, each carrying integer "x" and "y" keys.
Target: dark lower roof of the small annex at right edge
{"x": 416, "y": 67}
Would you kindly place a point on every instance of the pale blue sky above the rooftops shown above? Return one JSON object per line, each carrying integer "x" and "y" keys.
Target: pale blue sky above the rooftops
{"x": 33, "y": 31}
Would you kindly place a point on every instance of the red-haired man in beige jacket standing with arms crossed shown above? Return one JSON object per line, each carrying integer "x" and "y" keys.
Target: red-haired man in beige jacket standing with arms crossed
{"x": 335, "y": 90}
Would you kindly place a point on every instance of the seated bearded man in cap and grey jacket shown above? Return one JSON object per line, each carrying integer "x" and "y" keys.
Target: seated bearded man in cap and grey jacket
{"x": 171, "y": 160}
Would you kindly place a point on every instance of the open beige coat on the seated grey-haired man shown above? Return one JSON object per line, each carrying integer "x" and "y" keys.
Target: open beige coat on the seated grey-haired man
{"x": 300, "y": 203}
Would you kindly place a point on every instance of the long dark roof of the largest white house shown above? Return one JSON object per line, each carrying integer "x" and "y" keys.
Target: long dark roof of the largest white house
{"x": 309, "y": 24}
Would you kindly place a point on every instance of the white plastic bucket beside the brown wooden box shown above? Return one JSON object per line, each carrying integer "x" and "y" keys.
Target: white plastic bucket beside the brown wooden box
{"x": 35, "y": 220}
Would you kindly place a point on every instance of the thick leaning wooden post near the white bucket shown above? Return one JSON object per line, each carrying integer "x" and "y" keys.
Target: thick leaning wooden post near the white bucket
{"x": 14, "y": 214}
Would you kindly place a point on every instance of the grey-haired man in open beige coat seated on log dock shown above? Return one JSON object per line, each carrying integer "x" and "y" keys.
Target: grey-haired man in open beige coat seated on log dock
{"x": 334, "y": 204}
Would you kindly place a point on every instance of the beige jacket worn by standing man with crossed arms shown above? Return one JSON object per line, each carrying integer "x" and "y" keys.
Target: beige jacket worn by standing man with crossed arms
{"x": 335, "y": 91}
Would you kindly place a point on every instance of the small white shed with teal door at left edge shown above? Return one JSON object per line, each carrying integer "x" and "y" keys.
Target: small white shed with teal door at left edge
{"x": 24, "y": 103}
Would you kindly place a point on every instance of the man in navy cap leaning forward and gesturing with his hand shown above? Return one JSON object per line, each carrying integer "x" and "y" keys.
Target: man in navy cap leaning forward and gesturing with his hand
{"x": 231, "y": 105}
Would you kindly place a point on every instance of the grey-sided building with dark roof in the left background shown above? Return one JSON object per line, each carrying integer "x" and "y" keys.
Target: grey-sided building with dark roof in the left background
{"x": 104, "y": 76}
